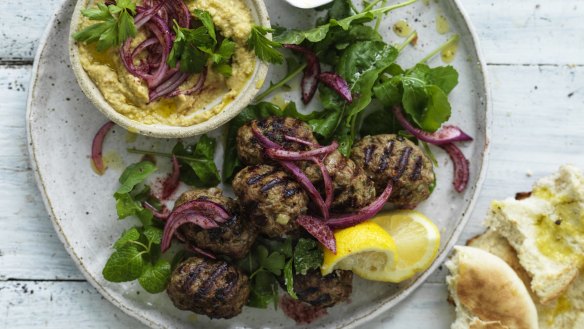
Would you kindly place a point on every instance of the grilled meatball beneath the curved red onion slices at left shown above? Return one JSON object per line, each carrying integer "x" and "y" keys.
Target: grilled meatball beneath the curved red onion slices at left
{"x": 233, "y": 238}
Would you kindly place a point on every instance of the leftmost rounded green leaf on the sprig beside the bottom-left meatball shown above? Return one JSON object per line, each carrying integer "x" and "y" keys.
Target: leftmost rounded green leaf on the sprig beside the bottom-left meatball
{"x": 124, "y": 265}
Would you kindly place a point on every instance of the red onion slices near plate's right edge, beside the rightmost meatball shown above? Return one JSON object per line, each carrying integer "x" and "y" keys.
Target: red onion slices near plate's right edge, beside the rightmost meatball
{"x": 444, "y": 138}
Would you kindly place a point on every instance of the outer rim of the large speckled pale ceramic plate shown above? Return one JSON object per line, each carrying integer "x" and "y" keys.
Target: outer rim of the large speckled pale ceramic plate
{"x": 357, "y": 321}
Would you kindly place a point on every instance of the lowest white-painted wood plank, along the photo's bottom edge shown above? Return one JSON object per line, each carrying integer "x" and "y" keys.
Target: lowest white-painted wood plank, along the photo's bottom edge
{"x": 64, "y": 305}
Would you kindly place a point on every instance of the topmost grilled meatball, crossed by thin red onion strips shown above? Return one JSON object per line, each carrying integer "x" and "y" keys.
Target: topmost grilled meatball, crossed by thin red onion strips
{"x": 275, "y": 128}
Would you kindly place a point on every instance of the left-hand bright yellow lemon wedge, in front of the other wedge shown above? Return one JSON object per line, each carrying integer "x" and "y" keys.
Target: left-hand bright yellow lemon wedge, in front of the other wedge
{"x": 366, "y": 249}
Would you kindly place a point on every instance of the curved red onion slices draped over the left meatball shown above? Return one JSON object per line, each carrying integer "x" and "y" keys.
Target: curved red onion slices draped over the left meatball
{"x": 203, "y": 213}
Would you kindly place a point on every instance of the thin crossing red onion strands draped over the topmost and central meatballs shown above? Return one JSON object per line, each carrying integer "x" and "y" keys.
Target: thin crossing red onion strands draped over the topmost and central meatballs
{"x": 295, "y": 171}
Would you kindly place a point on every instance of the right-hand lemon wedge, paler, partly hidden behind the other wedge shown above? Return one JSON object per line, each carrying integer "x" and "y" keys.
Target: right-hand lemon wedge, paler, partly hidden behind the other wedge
{"x": 417, "y": 240}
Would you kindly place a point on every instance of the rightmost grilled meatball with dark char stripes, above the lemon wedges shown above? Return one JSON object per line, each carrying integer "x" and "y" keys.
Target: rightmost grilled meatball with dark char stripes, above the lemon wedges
{"x": 386, "y": 157}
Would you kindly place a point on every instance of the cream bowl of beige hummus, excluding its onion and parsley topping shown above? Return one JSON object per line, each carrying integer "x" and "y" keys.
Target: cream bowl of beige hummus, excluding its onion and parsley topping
{"x": 128, "y": 100}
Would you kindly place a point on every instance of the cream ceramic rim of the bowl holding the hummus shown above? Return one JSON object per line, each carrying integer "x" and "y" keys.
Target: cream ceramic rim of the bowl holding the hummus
{"x": 260, "y": 16}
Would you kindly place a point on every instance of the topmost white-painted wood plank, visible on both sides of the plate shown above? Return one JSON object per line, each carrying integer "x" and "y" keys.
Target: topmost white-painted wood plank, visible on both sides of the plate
{"x": 510, "y": 32}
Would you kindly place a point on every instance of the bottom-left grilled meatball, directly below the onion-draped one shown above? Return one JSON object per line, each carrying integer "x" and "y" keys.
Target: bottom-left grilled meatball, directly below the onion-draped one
{"x": 213, "y": 288}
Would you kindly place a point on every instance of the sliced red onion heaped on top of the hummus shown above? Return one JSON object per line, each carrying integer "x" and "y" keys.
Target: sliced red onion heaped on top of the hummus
{"x": 156, "y": 17}
